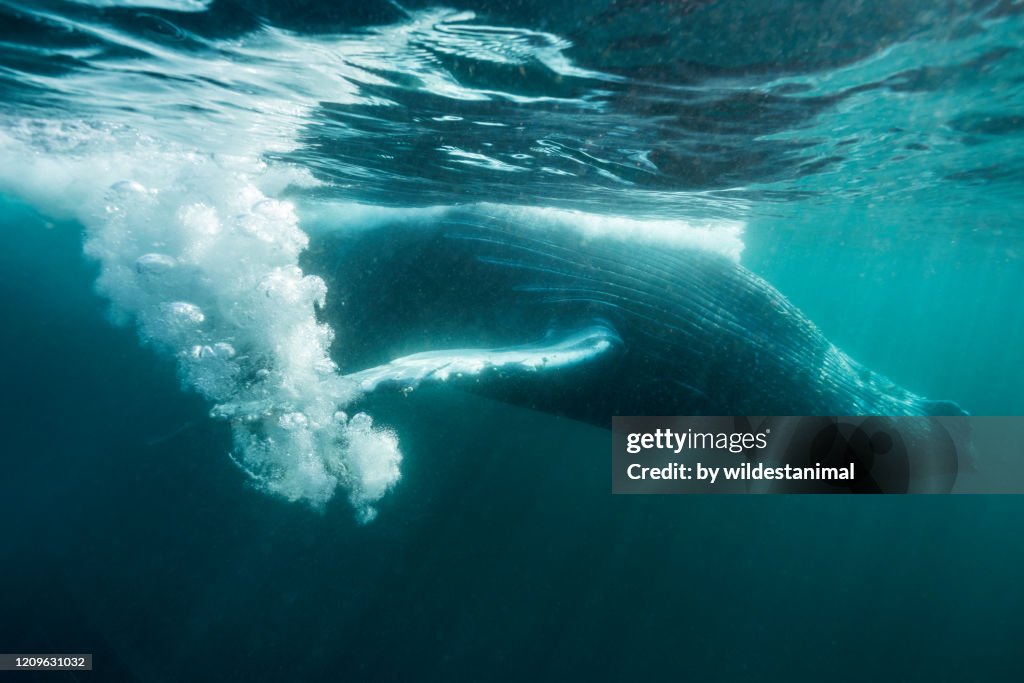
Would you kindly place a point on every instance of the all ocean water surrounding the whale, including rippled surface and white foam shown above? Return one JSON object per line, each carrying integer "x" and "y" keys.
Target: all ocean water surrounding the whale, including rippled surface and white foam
{"x": 193, "y": 488}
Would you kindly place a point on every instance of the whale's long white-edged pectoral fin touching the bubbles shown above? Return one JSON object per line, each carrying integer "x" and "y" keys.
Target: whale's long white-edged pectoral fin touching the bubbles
{"x": 473, "y": 366}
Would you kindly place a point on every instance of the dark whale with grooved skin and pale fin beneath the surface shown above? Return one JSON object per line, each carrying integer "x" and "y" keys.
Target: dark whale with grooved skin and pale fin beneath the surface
{"x": 583, "y": 327}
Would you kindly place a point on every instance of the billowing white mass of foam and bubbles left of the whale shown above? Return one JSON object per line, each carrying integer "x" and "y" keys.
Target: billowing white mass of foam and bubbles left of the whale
{"x": 195, "y": 249}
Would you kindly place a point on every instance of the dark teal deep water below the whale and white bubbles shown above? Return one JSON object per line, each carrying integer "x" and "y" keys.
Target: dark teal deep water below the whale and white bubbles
{"x": 502, "y": 554}
